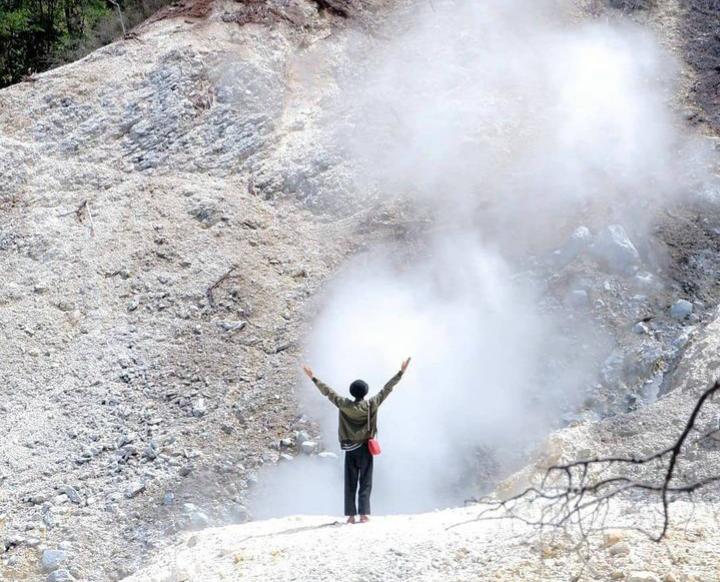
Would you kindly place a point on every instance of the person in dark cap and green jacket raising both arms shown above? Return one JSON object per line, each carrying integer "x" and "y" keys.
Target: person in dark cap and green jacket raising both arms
{"x": 357, "y": 426}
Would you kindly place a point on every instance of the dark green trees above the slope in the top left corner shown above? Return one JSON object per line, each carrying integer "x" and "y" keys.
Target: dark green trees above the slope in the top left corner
{"x": 36, "y": 35}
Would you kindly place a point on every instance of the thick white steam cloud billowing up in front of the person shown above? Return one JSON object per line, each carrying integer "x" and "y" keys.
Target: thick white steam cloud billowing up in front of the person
{"x": 510, "y": 122}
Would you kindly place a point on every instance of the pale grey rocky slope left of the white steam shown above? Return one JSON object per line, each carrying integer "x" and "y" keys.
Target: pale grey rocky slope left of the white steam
{"x": 157, "y": 266}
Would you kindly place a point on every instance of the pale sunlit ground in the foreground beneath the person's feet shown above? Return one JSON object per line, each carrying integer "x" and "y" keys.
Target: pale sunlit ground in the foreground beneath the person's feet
{"x": 421, "y": 548}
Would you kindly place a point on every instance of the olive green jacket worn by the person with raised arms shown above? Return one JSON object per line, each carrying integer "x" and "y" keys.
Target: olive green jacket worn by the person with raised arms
{"x": 353, "y": 422}
